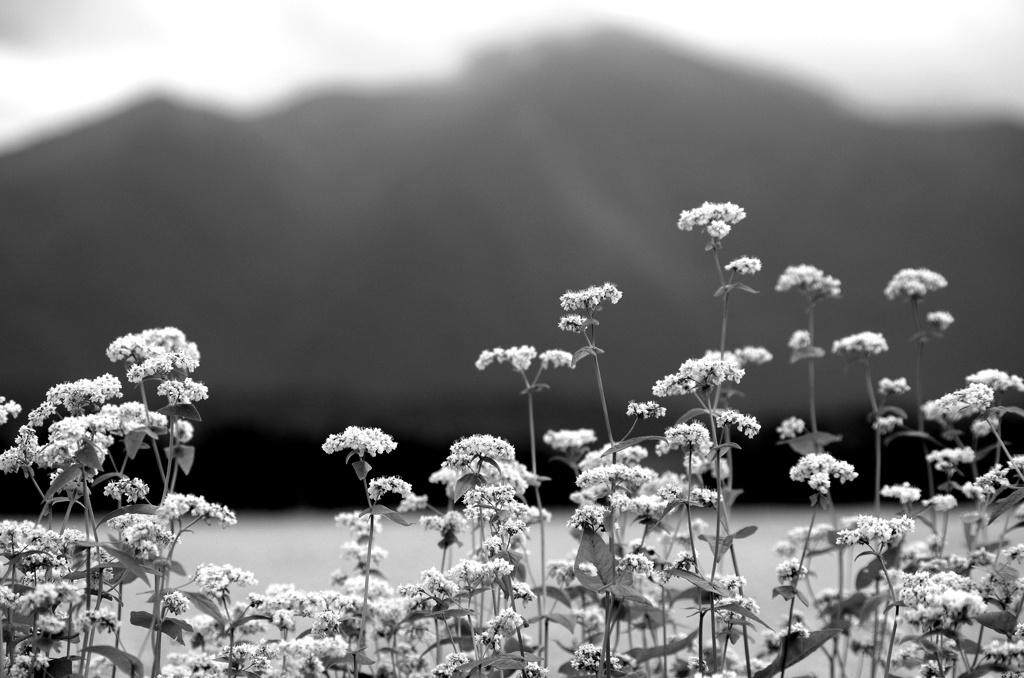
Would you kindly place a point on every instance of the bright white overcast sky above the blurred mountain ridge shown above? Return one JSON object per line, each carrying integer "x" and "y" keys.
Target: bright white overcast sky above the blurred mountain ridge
{"x": 65, "y": 60}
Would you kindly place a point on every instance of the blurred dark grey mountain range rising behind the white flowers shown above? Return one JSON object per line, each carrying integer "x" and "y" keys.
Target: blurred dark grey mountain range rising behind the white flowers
{"x": 345, "y": 261}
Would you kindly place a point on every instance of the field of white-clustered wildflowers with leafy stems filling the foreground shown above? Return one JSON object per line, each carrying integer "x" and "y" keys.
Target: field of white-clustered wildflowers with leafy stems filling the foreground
{"x": 654, "y": 574}
